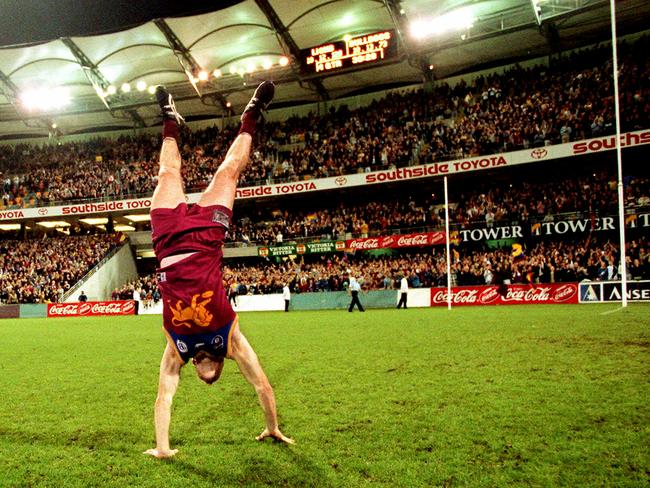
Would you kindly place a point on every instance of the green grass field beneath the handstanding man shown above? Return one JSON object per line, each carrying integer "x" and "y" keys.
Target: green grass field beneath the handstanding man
{"x": 501, "y": 396}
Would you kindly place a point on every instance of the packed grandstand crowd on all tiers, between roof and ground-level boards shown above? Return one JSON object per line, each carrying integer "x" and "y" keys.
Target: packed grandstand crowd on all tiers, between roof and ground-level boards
{"x": 517, "y": 108}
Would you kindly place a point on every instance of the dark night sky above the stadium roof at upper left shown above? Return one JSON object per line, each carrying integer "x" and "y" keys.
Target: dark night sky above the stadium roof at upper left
{"x": 31, "y": 21}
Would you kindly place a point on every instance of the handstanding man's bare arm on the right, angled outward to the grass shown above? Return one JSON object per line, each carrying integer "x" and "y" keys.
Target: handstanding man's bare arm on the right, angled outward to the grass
{"x": 249, "y": 365}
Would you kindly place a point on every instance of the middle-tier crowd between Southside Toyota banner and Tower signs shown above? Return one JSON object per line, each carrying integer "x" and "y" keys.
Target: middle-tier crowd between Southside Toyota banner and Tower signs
{"x": 485, "y": 204}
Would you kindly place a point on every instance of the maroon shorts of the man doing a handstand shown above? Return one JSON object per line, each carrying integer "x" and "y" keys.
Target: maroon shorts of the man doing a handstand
{"x": 185, "y": 229}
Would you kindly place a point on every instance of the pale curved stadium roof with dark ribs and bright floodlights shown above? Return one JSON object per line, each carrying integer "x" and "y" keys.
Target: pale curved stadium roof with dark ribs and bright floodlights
{"x": 240, "y": 39}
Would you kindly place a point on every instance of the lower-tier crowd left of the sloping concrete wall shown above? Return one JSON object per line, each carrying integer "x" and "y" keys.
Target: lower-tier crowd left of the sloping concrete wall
{"x": 41, "y": 271}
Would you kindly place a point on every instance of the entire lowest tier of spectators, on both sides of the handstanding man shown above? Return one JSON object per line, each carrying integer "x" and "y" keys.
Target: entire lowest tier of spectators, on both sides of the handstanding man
{"x": 41, "y": 271}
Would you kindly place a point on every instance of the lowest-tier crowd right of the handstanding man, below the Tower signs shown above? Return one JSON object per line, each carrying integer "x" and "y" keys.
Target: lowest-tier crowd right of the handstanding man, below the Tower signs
{"x": 545, "y": 262}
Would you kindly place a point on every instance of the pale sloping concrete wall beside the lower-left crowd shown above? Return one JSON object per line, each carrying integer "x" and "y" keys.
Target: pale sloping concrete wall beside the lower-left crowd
{"x": 117, "y": 271}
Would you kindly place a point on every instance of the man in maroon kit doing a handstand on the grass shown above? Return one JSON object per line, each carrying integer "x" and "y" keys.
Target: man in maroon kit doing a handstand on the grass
{"x": 198, "y": 320}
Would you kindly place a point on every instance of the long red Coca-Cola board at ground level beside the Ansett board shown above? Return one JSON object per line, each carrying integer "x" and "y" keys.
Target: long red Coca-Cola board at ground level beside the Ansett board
{"x": 515, "y": 295}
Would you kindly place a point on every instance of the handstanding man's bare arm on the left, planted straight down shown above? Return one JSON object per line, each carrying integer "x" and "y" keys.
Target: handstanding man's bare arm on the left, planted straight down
{"x": 170, "y": 367}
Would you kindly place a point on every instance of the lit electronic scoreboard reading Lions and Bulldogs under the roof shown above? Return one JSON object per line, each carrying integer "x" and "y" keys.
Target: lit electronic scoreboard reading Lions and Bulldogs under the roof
{"x": 360, "y": 51}
